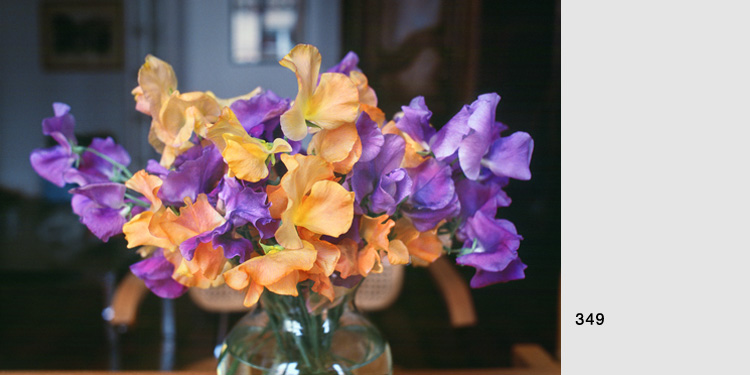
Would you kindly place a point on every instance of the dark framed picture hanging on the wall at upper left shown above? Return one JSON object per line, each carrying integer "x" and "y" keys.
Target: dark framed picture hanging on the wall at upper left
{"x": 81, "y": 35}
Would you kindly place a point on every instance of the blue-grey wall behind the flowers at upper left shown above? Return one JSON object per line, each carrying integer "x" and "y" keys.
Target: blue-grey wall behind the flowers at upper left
{"x": 192, "y": 35}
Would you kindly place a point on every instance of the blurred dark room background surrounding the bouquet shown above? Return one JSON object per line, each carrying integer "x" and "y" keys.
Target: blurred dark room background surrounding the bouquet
{"x": 56, "y": 279}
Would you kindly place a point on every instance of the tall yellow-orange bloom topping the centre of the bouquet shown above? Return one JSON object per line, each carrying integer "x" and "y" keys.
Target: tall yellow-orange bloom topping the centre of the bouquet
{"x": 327, "y": 101}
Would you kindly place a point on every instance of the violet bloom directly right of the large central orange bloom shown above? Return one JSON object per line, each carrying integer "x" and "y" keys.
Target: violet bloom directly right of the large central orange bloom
{"x": 381, "y": 179}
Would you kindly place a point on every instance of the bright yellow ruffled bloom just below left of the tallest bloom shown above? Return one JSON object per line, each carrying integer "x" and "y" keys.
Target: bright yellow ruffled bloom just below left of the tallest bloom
{"x": 246, "y": 157}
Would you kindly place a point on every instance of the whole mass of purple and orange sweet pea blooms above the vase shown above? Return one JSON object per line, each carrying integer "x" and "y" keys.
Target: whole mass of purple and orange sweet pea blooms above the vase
{"x": 262, "y": 192}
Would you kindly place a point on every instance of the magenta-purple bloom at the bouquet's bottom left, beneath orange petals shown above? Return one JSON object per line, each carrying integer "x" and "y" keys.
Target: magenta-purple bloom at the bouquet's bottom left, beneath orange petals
{"x": 156, "y": 272}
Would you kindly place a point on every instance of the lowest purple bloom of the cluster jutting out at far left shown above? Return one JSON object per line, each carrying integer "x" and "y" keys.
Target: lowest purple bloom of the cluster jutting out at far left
{"x": 101, "y": 207}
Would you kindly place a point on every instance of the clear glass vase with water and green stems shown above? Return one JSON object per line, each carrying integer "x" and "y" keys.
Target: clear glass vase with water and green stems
{"x": 305, "y": 335}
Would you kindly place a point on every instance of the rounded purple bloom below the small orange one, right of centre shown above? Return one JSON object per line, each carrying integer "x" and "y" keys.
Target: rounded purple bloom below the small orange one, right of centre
{"x": 434, "y": 197}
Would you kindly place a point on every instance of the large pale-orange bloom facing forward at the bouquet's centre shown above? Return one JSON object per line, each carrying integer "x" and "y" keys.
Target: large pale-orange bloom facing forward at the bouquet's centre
{"x": 308, "y": 197}
